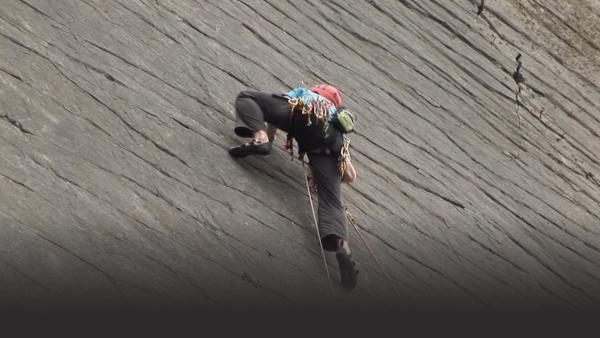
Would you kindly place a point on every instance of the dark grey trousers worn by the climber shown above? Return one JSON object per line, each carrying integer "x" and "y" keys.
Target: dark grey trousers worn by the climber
{"x": 253, "y": 109}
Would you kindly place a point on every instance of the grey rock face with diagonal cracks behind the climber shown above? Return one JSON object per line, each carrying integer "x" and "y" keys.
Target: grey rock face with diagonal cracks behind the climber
{"x": 478, "y": 186}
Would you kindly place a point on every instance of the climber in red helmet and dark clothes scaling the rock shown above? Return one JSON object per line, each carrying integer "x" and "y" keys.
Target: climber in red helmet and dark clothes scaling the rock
{"x": 314, "y": 118}
